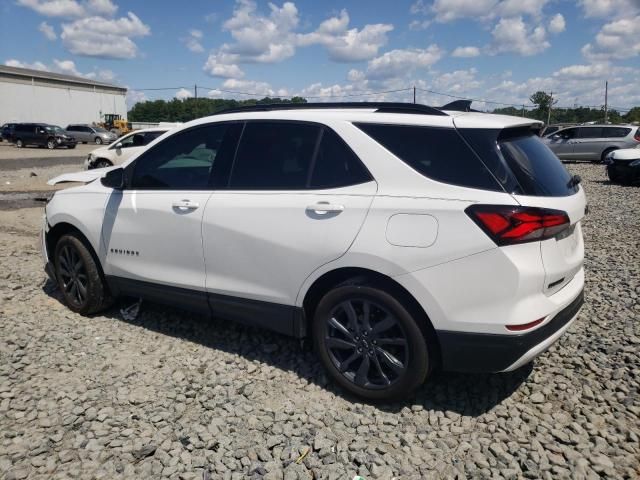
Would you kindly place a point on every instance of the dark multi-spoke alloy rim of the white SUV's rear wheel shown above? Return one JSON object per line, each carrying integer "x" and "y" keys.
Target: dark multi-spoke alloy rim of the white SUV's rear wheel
{"x": 366, "y": 344}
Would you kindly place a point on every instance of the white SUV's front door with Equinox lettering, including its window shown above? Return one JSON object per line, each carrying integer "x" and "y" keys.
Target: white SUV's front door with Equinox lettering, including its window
{"x": 152, "y": 230}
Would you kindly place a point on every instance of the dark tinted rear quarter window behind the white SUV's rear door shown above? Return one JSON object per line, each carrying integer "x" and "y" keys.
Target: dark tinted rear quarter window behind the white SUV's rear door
{"x": 437, "y": 153}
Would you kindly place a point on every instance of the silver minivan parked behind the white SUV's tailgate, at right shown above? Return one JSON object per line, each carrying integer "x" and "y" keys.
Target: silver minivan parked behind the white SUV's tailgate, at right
{"x": 592, "y": 142}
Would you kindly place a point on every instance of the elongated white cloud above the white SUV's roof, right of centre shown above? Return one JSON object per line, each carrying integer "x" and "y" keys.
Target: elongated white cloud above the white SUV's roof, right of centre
{"x": 397, "y": 63}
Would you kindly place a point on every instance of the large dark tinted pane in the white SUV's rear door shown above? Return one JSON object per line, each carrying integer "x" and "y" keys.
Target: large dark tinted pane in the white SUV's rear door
{"x": 274, "y": 156}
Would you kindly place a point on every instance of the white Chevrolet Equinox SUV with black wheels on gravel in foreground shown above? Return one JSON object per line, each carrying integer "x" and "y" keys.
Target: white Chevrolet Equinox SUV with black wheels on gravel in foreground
{"x": 398, "y": 237}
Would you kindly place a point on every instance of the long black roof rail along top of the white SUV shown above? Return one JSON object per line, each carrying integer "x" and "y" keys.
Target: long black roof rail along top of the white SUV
{"x": 382, "y": 107}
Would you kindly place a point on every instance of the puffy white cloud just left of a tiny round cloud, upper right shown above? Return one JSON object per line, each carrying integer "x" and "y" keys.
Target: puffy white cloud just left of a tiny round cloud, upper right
{"x": 512, "y": 35}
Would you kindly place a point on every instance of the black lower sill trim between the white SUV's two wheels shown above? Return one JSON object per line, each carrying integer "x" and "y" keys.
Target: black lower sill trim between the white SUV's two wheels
{"x": 285, "y": 319}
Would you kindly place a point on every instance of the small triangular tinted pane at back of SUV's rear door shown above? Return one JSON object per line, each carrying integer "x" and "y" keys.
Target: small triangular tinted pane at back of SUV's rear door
{"x": 336, "y": 165}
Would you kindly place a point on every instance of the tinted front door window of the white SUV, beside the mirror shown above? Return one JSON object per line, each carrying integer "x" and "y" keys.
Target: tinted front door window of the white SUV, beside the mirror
{"x": 180, "y": 162}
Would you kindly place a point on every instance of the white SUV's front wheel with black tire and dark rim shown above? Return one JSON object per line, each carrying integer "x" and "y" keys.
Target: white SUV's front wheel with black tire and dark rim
{"x": 78, "y": 276}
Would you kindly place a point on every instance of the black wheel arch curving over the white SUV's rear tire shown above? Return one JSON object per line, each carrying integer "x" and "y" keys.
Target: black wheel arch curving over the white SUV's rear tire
{"x": 361, "y": 276}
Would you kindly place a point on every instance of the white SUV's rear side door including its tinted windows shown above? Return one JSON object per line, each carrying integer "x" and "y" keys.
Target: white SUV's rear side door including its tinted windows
{"x": 296, "y": 199}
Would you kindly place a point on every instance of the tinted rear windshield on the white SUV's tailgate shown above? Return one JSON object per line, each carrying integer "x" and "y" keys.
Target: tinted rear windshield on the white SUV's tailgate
{"x": 521, "y": 162}
